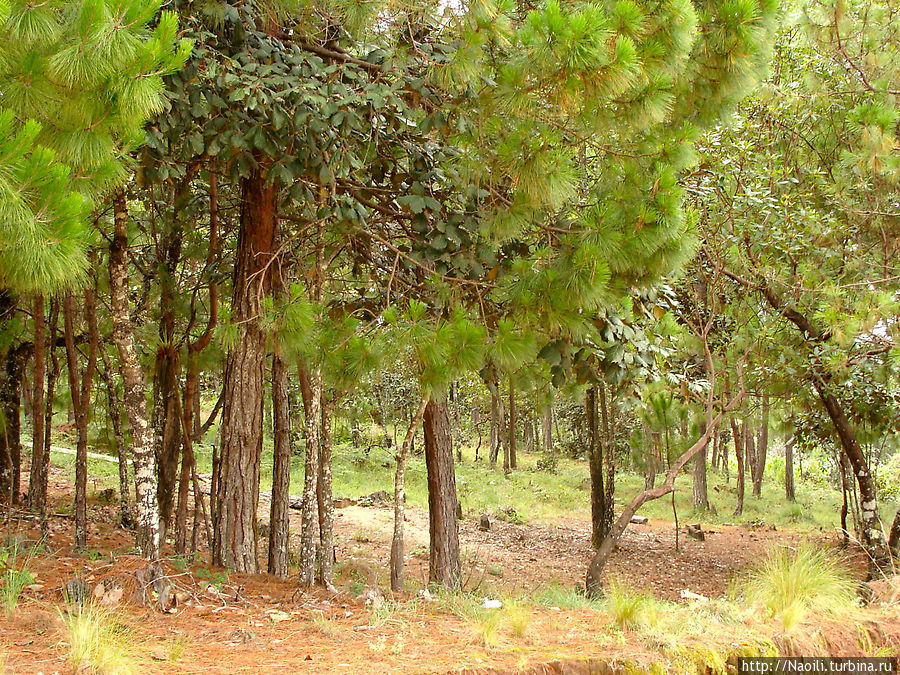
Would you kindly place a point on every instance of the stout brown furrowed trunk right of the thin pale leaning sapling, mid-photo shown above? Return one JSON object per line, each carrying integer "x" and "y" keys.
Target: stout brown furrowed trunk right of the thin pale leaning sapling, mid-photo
{"x": 444, "y": 563}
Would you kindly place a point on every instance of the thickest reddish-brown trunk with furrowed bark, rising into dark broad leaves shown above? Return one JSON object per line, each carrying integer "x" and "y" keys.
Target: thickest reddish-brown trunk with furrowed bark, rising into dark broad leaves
{"x": 241, "y": 431}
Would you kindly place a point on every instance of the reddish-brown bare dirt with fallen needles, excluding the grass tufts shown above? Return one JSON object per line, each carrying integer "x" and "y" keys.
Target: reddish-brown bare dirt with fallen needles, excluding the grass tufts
{"x": 259, "y": 624}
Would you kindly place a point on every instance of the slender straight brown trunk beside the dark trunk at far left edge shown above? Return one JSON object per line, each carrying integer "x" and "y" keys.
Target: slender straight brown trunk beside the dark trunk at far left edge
{"x": 37, "y": 484}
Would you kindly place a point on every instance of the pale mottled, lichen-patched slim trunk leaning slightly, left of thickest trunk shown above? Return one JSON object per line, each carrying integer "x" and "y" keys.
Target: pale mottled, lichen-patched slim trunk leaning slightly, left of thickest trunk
{"x": 133, "y": 378}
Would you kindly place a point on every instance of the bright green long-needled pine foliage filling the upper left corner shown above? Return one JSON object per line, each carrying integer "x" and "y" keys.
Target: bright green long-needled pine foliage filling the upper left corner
{"x": 78, "y": 82}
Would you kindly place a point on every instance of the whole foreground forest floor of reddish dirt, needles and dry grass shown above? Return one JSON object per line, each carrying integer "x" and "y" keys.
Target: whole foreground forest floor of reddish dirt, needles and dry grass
{"x": 234, "y": 623}
